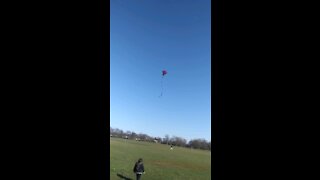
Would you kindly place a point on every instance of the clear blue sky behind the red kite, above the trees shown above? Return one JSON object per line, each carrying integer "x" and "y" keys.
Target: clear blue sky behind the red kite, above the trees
{"x": 147, "y": 36}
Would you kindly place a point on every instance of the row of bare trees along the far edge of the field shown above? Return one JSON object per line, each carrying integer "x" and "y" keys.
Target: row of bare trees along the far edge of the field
{"x": 173, "y": 140}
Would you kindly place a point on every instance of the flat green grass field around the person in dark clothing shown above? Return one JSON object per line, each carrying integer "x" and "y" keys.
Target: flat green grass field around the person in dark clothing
{"x": 160, "y": 162}
